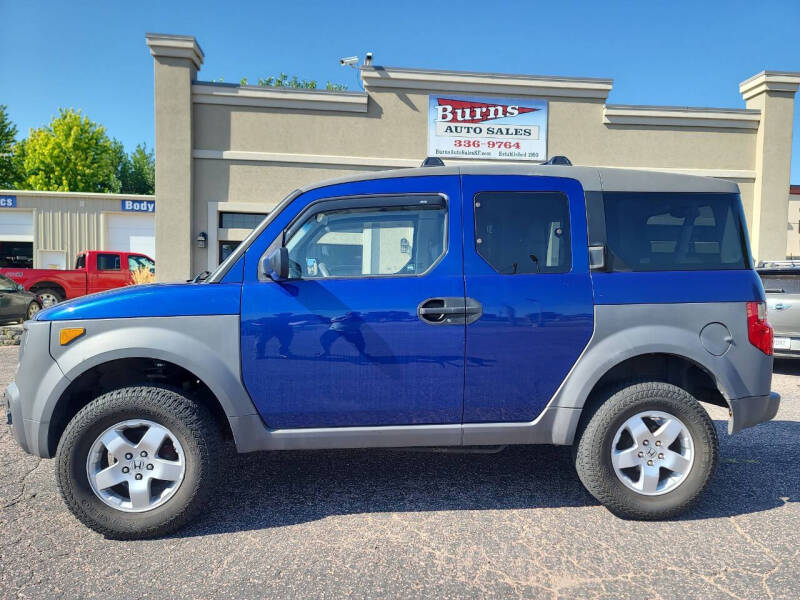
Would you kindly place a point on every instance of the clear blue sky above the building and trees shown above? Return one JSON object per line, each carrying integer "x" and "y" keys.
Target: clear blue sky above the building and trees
{"x": 92, "y": 55}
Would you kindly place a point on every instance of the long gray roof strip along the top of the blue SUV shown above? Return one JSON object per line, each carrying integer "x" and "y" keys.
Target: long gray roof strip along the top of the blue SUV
{"x": 591, "y": 178}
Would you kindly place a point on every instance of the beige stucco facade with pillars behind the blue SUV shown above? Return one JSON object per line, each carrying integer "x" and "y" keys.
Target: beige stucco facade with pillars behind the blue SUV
{"x": 227, "y": 154}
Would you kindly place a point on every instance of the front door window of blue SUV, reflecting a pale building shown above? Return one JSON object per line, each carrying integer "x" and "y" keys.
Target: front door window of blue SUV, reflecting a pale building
{"x": 396, "y": 240}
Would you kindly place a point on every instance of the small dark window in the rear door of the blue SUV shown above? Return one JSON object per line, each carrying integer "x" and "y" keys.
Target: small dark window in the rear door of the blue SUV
{"x": 523, "y": 232}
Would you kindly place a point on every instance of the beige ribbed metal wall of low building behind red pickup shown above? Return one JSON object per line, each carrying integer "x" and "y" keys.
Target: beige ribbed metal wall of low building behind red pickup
{"x": 67, "y": 222}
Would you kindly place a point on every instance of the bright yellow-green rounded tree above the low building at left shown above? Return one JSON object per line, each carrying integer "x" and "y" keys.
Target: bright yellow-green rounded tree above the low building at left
{"x": 72, "y": 154}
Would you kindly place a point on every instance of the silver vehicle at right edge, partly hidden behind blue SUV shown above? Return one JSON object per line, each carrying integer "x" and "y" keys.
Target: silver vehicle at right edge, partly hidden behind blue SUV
{"x": 782, "y": 286}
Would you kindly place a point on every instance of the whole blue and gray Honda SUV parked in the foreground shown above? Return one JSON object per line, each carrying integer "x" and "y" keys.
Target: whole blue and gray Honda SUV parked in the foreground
{"x": 441, "y": 306}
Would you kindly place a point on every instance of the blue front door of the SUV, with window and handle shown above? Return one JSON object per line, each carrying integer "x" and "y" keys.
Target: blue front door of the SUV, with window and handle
{"x": 343, "y": 341}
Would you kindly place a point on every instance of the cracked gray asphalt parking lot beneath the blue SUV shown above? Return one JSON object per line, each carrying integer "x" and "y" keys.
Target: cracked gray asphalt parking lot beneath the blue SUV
{"x": 412, "y": 524}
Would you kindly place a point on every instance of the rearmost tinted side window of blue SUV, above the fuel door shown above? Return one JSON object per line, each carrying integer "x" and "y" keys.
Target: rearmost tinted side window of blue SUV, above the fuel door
{"x": 657, "y": 231}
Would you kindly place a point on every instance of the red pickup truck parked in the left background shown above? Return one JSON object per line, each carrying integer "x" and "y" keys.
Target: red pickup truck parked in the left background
{"x": 95, "y": 271}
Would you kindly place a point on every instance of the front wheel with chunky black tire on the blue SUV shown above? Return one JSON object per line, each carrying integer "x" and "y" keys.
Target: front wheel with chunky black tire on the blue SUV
{"x": 194, "y": 434}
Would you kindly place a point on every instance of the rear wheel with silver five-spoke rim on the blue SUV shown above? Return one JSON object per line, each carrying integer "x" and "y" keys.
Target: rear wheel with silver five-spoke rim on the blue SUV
{"x": 626, "y": 492}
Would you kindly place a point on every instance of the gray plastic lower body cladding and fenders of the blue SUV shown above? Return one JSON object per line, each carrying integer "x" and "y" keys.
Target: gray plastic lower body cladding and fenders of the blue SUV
{"x": 208, "y": 346}
